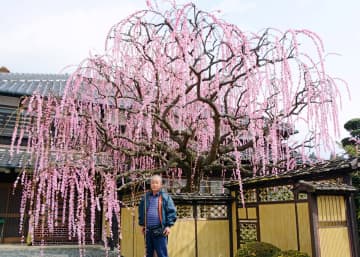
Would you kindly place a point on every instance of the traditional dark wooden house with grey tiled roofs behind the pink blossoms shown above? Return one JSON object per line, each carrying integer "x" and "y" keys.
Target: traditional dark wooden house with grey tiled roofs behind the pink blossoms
{"x": 13, "y": 87}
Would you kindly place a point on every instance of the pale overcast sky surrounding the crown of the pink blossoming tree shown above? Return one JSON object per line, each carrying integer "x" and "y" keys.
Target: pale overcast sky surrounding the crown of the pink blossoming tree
{"x": 41, "y": 36}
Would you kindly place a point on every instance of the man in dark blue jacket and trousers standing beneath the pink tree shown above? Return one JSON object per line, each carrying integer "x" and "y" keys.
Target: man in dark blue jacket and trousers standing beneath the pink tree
{"x": 157, "y": 213}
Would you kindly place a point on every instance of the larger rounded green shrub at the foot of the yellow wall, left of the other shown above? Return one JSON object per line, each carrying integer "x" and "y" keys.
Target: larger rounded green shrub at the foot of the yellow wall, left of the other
{"x": 258, "y": 249}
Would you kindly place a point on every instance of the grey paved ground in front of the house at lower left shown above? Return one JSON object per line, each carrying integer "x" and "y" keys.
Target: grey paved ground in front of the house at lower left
{"x": 53, "y": 251}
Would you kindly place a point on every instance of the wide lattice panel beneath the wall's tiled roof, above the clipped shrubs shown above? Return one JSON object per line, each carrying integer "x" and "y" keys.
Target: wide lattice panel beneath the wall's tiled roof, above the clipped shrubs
{"x": 280, "y": 193}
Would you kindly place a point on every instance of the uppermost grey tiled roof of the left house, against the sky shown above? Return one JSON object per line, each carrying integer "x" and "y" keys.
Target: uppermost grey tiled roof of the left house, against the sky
{"x": 16, "y": 84}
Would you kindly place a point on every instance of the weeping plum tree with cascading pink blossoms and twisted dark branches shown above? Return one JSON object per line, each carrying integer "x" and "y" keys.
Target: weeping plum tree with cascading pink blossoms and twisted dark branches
{"x": 179, "y": 92}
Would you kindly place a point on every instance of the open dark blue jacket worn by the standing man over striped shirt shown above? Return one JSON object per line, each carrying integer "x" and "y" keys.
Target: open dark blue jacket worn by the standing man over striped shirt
{"x": 168, "y": 209}
